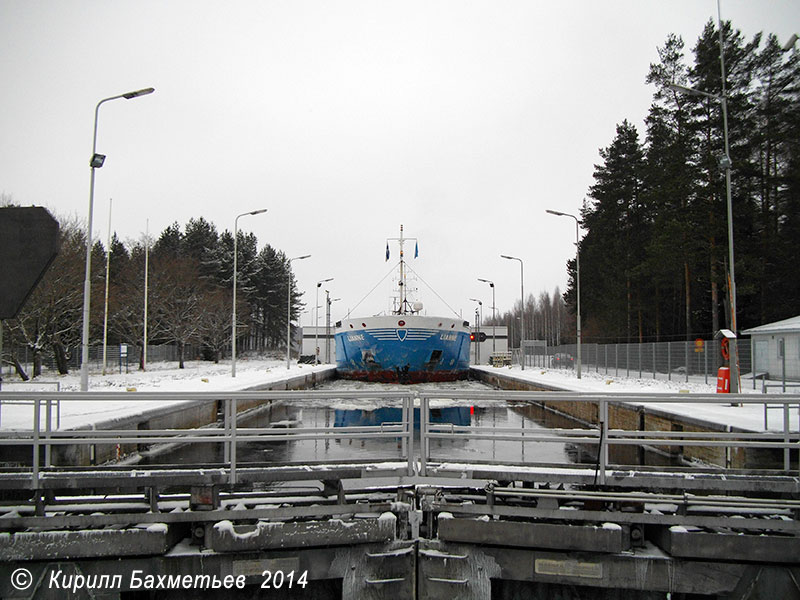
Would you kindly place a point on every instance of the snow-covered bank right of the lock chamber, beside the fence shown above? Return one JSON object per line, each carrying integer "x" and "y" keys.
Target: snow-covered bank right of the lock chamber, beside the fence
{"x": 747, "y": 416}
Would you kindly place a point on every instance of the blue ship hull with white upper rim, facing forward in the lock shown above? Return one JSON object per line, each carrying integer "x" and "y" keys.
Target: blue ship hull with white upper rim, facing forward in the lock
{"x": 402, "y": 349}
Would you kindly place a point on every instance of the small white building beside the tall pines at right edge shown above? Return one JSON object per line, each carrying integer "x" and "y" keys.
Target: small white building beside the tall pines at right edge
{"x": 776, "y": 348}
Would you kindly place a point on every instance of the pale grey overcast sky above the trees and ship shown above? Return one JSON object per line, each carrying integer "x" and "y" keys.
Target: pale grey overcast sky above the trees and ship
{"x": 461, "y": 120}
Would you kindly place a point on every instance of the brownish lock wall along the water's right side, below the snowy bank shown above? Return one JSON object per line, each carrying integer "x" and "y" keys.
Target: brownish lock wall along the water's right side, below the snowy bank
{"x": 636, "y": 417}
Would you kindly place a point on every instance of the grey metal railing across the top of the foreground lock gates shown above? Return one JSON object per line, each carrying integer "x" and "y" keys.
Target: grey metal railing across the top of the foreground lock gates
{"x": 232, "y": 435}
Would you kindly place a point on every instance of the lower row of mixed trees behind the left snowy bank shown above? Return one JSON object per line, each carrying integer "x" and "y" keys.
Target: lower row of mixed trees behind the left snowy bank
{"x": 189, "y": 295}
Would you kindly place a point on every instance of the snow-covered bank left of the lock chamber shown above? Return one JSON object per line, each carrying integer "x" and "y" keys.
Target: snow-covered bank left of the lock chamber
{"x": 198, "y": 376}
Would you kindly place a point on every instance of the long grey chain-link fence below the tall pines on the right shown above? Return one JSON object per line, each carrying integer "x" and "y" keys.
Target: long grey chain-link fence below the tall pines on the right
{"x": 656, "y": 360}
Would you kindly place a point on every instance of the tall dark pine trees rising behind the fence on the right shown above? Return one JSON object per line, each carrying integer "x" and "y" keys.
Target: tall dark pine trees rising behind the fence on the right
{"x": 654, "y": 257}
